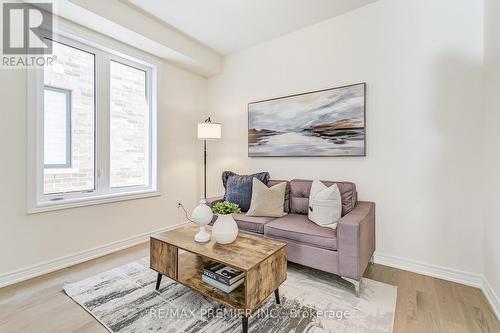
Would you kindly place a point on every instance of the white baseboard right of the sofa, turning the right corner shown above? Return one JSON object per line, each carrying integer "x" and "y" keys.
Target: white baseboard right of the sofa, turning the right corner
{"x": 440, "y": 272}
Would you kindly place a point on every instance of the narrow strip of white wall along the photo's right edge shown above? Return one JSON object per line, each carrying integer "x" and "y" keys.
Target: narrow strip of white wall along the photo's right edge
{"x": 492, "y": 153}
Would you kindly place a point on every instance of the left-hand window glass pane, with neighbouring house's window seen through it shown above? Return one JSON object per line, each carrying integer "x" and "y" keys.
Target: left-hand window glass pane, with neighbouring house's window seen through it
{"x": 73, "y": 72}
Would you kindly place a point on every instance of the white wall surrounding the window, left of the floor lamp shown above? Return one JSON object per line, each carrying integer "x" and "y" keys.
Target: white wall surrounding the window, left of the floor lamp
{"x": 26, "y": 240}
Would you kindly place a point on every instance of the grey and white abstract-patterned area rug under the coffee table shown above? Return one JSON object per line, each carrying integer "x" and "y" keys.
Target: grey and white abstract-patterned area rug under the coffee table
{"x": 124, "y": 300}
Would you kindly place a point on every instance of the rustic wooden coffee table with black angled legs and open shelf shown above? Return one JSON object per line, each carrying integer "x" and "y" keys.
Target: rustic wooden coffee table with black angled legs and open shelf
{"x": 264, "y": 262}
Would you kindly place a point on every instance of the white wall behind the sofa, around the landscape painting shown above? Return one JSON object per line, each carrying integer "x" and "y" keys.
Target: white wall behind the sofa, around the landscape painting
{"x": 422, "y": 62}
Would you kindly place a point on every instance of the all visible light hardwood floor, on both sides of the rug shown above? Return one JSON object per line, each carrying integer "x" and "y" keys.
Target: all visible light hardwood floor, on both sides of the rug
{"x": 424, "y": 304}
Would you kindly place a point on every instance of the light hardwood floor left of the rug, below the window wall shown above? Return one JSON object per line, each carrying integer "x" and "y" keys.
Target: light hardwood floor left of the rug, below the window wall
{"x": 40, "y": 304}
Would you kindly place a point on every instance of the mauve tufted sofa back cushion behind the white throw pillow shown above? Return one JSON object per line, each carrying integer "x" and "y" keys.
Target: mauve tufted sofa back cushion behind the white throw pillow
{"x": 300, "y": 190}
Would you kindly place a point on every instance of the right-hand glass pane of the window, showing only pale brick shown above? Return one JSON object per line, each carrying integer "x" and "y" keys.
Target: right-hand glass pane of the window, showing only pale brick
{"x": 129, "y": 112}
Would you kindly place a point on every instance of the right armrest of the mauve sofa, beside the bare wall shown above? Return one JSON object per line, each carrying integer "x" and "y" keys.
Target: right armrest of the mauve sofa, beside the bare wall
{"x": 356, "y": 240}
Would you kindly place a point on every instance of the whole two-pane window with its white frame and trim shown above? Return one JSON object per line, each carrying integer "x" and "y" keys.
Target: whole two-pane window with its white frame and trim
{"x": 92, "y": 129}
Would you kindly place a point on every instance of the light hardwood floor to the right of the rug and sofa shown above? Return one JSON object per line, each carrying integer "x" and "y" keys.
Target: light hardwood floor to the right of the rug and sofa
{"x": 427, "y": 304}
